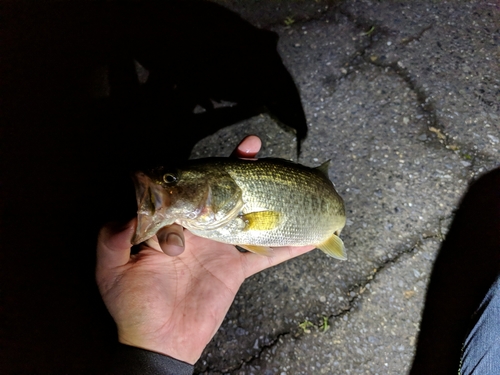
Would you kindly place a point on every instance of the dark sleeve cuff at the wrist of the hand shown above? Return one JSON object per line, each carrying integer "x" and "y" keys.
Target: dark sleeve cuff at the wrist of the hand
{"x": 129, "y": 360}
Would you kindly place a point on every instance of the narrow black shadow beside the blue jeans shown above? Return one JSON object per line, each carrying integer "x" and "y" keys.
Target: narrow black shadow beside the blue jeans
{"x": 467, "y": 265}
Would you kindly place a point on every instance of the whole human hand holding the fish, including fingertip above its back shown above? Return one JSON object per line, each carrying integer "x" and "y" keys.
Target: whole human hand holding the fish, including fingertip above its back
{"x": 175, "y": 304}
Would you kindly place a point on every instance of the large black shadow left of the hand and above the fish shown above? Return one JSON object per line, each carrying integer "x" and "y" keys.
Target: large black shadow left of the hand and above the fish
{"x": 75, "y": 120}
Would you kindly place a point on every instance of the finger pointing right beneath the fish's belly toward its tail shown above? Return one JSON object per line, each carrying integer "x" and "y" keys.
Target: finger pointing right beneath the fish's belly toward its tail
{"x": 256, "y": 263}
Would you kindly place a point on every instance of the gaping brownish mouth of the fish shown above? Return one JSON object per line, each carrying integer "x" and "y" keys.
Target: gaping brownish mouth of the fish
{"x": 152, "y": 203}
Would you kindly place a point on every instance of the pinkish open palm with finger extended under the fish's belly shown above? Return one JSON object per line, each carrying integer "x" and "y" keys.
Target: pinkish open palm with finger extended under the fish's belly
{"x": 184, "y": 298}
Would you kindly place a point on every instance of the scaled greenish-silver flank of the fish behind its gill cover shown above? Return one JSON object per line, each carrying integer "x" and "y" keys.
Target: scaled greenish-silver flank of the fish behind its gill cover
{"x": 302, "y": 195}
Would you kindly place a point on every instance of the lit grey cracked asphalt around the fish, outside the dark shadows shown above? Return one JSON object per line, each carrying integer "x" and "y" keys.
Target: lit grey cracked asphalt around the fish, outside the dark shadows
{"x": 404, "y": 98}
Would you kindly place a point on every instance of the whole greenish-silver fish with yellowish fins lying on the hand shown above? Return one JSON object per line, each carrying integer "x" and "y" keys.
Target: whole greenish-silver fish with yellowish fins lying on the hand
{"x": 254, "y": 204}
